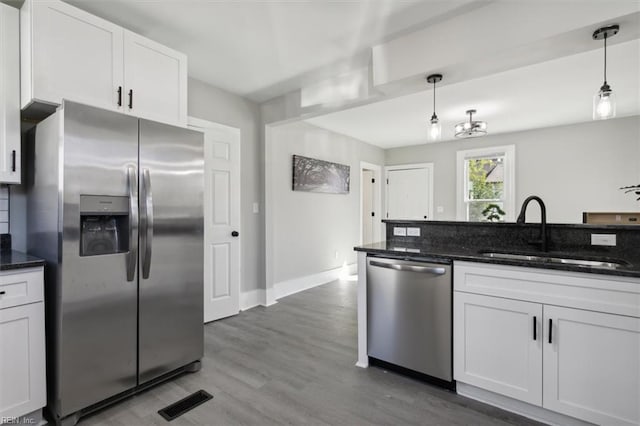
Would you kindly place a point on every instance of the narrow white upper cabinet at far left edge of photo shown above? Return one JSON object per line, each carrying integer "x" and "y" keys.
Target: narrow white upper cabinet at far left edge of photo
{"x": 9, "y": 95}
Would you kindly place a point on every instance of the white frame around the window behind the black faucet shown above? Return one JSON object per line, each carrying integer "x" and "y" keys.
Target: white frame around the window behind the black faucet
{"x": 509, "y": 153}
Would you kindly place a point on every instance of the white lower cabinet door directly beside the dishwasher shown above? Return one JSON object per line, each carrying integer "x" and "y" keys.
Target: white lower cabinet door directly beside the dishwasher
{"x": 496, "y": 346}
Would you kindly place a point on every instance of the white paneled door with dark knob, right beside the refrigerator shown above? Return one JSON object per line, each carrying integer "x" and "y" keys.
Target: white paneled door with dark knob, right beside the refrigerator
{"x": 222, "y": 219}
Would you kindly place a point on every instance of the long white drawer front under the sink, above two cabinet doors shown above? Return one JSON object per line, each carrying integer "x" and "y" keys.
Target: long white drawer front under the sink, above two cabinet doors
{"x": 593, "y": 292}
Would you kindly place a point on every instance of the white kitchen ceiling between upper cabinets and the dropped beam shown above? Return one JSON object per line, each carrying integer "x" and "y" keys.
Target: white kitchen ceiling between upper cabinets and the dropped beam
{"x": 262, "y": 49}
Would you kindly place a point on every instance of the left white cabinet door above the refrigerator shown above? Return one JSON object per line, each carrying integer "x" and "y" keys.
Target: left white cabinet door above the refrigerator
{"x": 69, "y": 54}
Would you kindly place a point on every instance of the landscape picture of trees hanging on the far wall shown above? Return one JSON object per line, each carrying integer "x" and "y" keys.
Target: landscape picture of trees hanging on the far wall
{"x": 312, "y": 175}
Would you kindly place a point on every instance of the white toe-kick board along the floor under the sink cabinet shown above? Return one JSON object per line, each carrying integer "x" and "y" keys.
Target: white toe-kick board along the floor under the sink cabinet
{"x": 524, "y": 409}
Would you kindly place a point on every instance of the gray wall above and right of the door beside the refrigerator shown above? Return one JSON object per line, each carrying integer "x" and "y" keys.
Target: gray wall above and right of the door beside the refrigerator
{"x": 213, "y": 104}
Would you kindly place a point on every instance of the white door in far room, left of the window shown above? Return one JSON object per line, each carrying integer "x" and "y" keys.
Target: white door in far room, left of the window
{"x": 409, "y": 193}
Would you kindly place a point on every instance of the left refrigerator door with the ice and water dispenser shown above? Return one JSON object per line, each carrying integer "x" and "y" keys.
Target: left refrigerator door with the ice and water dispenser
{"x": 96, "y": 314}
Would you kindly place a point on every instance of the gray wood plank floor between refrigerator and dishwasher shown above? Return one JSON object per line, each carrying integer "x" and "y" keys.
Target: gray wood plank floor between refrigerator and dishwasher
{"x": 293, "y": 363}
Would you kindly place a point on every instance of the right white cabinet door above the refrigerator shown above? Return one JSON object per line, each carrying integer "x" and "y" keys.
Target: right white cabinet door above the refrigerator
{"x": 155, "y": 79}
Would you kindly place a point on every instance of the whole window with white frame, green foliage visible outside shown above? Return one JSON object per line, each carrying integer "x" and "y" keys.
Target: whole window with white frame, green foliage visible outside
{"x": 486, "y": 184}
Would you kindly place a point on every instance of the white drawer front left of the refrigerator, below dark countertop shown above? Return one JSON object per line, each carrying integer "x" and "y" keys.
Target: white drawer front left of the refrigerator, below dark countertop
{"x": 20, "y": 287}
